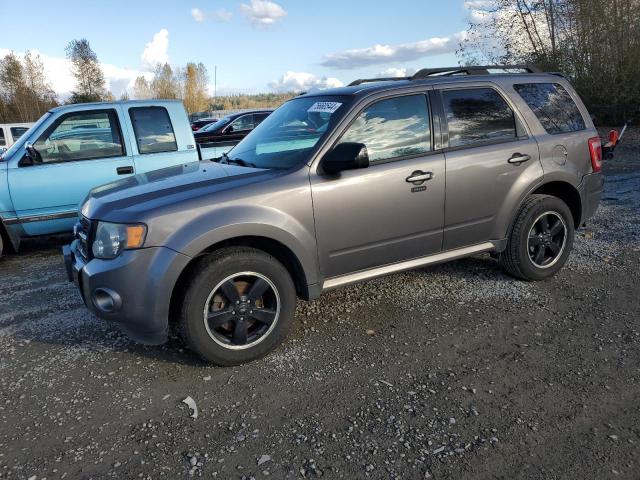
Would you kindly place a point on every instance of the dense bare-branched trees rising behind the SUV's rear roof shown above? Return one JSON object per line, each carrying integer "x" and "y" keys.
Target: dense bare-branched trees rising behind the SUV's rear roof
{"x": 596, "y": 43}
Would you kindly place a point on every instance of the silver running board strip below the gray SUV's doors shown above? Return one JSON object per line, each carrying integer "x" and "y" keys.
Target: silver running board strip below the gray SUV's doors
{"x": 362, "y": 275}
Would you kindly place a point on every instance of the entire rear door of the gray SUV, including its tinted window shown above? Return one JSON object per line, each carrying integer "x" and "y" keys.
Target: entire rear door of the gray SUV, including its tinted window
{"x": 491, "y": 160}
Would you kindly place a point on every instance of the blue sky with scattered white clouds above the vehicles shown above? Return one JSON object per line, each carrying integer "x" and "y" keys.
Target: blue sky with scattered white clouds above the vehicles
{"x": 258, "y": 45}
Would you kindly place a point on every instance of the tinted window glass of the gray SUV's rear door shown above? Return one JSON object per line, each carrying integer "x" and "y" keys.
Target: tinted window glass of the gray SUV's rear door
{"x": 477, "y": 116}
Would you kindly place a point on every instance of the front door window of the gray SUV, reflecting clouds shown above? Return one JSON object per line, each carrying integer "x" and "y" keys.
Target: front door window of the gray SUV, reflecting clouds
{"x": 392, "y": 128}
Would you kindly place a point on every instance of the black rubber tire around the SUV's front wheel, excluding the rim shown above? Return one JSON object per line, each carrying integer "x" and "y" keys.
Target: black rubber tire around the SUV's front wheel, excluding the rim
{"x": 203, "y": 283}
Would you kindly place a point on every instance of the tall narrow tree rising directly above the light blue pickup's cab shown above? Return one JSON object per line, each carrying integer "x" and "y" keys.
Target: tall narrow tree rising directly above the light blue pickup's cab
{"x": 90, "y": 83}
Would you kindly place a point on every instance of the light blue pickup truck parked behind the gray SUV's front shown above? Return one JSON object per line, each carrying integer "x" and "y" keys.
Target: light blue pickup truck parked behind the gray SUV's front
{"x": 74, "y": 148}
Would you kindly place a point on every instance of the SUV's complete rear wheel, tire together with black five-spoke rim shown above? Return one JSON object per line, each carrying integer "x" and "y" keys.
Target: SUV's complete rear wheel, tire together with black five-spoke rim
{"x": 522, "y": 258}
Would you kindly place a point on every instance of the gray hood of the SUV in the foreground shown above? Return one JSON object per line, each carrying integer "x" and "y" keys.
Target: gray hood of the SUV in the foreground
{"x": 167, "y": 186}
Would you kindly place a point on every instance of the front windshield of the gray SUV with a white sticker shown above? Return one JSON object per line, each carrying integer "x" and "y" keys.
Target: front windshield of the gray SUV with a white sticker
{"x": 287, "y": 136}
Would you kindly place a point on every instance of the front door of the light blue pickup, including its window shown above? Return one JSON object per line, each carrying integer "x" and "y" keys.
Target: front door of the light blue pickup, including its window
{"x": 79, "y": 151}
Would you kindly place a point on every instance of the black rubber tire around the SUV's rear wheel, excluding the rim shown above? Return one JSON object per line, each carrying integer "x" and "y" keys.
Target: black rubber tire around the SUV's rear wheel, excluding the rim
{"x": 549, "y": 204}
